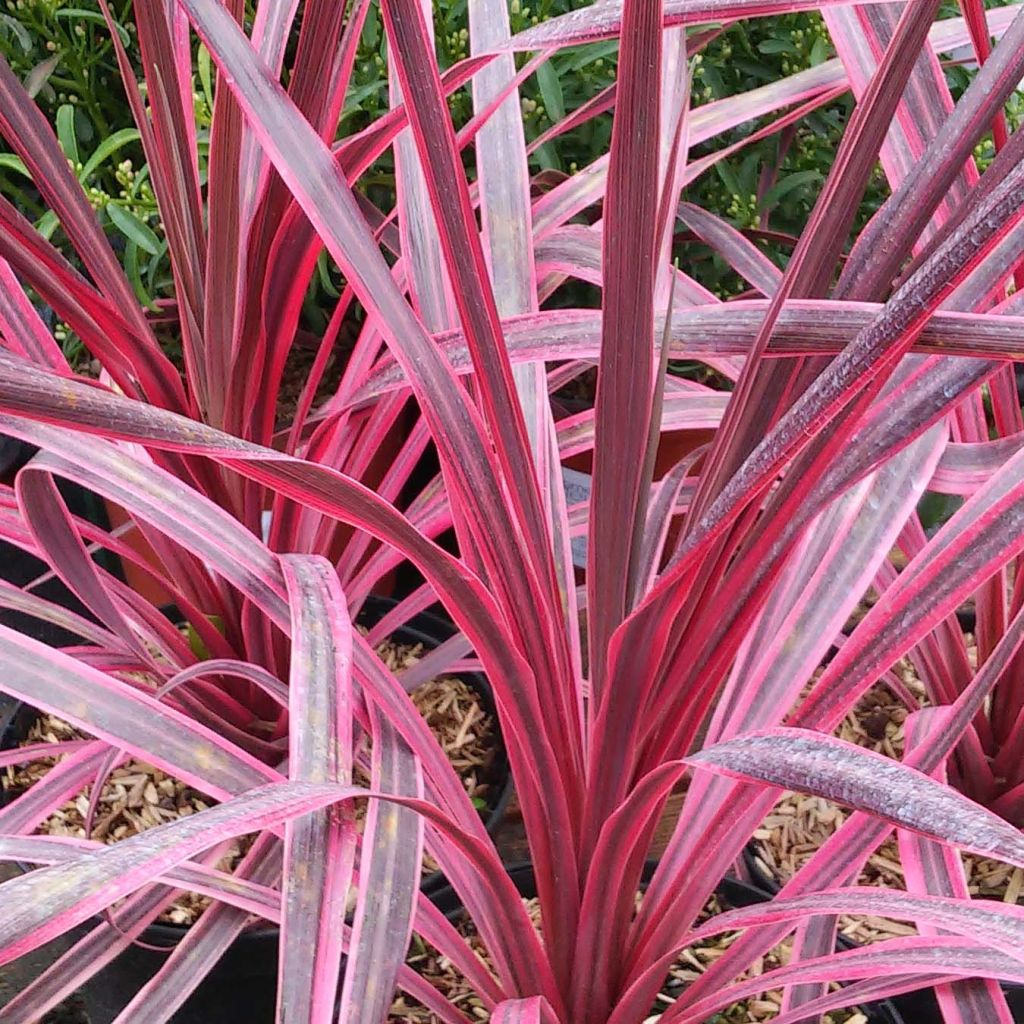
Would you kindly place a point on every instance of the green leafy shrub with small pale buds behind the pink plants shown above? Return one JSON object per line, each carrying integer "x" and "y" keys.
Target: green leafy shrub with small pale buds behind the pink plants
{"x": 773, "y": 183}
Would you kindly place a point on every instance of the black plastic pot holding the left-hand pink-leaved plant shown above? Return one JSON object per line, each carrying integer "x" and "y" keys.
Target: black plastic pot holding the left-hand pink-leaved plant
{"x": 242, "y": 988}
